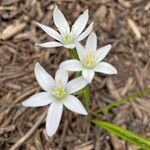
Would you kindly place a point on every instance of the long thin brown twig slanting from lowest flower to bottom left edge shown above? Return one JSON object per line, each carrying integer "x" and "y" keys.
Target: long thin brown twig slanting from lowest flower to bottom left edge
{"x": 29, "y": 133}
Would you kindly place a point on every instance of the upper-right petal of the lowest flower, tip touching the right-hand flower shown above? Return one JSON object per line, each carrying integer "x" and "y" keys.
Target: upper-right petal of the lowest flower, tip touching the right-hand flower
{"x": 76, "y": 85}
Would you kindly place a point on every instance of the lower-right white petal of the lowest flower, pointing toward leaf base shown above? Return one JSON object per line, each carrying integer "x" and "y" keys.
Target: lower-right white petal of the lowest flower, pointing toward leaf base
{"x": 73, "y": 104}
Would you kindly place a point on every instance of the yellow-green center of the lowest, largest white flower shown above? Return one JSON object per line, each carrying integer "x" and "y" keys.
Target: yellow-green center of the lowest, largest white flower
{"x": 59, "y": 92}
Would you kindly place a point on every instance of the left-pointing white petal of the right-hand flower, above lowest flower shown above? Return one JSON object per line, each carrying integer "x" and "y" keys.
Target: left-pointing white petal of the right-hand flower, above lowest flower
{"x": 71, "y": 65}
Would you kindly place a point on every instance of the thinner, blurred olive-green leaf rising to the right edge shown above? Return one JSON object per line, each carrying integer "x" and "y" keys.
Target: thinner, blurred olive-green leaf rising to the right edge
{"x": 130, "y": 97}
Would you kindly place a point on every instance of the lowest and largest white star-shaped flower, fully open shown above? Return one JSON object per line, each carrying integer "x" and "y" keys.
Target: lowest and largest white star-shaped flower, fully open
{"x": 58, "y": 92}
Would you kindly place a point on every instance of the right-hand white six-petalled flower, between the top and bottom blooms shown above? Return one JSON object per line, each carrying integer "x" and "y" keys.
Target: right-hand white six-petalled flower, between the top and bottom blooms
{"x": 90, "y": 59}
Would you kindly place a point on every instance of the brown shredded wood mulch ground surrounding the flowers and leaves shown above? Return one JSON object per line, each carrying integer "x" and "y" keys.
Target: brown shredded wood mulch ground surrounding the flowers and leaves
{"x": 123, "y": 23}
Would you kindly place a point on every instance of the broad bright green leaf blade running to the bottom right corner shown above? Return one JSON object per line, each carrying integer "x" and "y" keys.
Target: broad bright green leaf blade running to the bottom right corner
{"x": 125, "y": 134}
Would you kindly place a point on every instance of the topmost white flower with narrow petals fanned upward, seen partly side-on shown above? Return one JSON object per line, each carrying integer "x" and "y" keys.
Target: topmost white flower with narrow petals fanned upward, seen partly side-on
{"x": 67, "y": 37}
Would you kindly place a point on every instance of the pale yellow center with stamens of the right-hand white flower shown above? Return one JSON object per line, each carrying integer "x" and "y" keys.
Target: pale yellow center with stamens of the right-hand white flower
{"x": 89, "y": 60}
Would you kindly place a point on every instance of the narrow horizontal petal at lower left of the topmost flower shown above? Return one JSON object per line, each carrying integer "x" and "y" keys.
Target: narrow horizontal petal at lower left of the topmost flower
{"x": 49, "y": 44}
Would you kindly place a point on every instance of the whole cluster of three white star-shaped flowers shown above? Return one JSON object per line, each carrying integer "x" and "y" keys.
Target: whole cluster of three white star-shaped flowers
{"x": 59, "y": 91}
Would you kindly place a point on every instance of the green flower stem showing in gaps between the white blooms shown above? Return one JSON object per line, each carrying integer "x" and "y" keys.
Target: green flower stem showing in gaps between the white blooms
{"x": 86, "y": 90}
